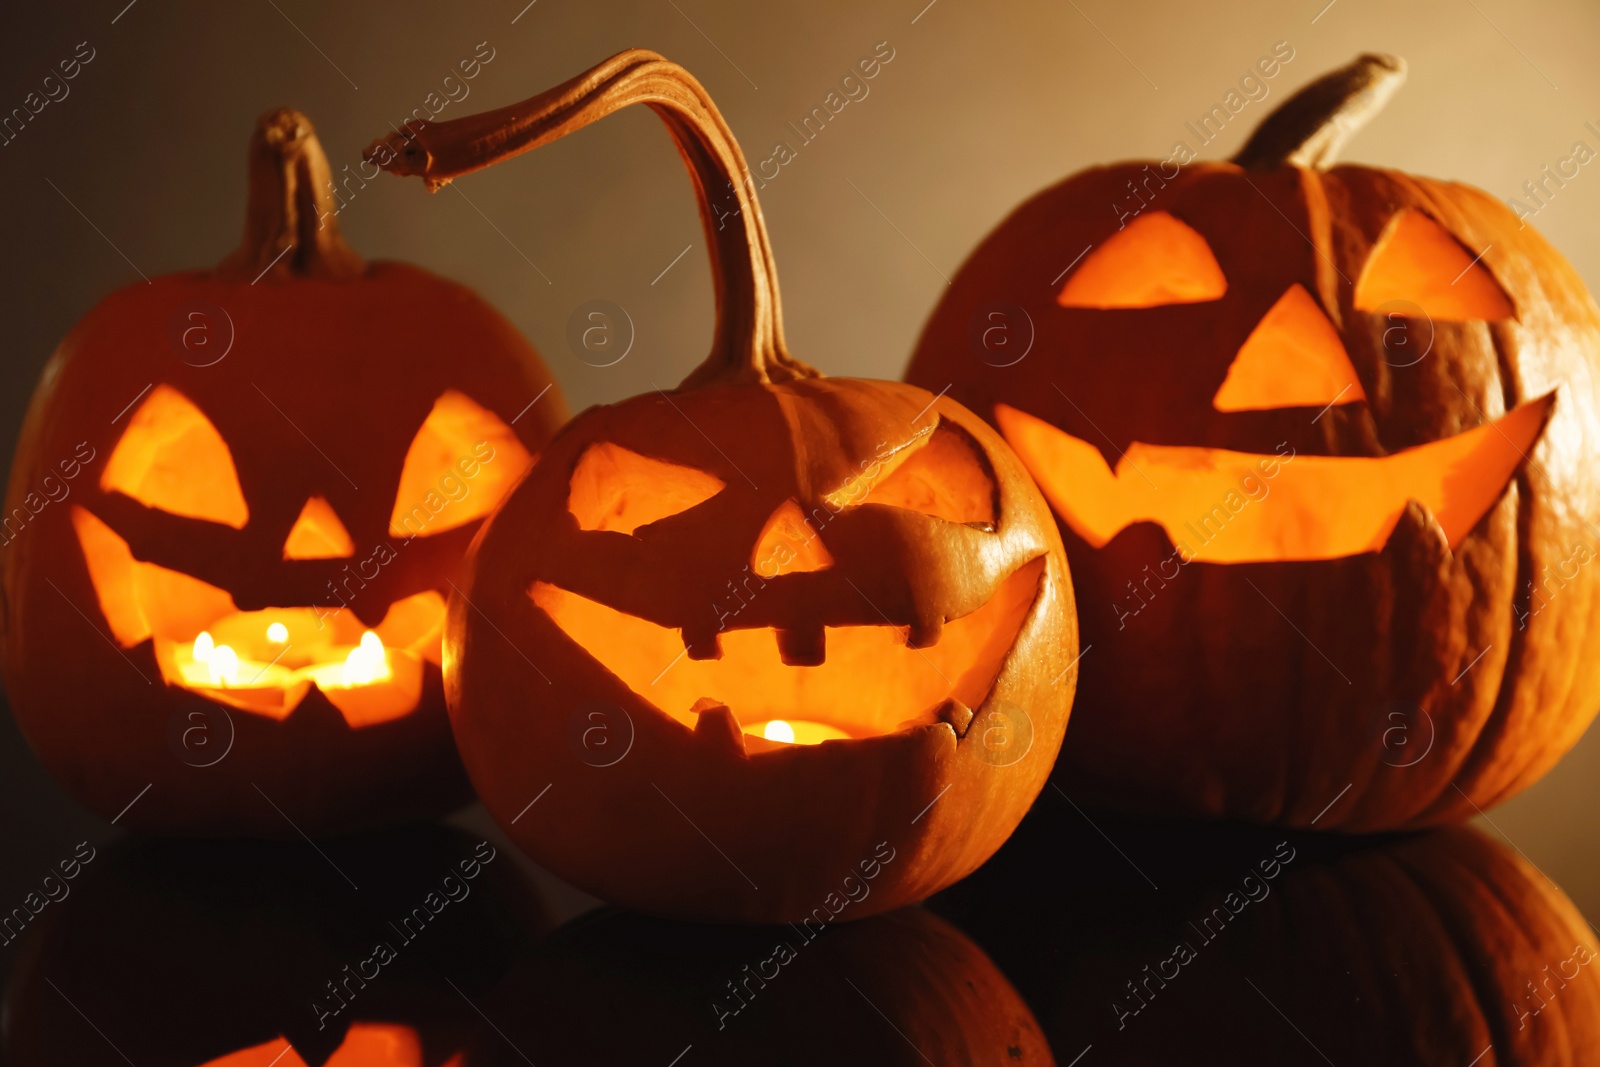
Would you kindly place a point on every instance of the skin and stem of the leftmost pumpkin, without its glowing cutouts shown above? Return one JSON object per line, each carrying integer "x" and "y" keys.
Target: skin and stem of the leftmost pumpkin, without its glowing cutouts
{"x": 334, "y": 369}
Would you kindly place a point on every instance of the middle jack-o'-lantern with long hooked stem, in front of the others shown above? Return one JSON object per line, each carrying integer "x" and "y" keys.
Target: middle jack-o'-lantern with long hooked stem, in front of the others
{"x": 809, "y": 617}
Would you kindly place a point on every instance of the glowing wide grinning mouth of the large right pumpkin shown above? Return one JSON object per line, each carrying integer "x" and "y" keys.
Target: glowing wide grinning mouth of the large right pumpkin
{"x": 1239, "y": 508}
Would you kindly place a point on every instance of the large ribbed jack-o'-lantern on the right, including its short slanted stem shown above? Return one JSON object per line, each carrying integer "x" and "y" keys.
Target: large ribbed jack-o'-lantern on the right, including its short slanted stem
{"x": 1322, "y": 444}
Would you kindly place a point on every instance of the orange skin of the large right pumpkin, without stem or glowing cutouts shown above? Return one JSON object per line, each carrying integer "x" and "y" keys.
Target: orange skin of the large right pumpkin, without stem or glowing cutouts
{"x": 1401, "y": 685}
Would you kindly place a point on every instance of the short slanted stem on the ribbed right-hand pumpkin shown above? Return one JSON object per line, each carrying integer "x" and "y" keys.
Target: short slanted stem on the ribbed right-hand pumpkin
{"x": 1311, "y": 127}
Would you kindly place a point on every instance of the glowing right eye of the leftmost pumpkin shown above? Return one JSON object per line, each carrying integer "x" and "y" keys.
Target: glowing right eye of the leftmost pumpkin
{"x": 460, "y": 466}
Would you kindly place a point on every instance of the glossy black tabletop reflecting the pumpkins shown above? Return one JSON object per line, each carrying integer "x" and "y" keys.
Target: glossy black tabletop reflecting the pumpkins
{"x": 1092, "y": 938}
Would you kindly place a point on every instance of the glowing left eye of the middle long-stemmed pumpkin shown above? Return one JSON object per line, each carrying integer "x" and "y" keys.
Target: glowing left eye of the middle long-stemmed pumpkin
{"x": 615, "y": 489}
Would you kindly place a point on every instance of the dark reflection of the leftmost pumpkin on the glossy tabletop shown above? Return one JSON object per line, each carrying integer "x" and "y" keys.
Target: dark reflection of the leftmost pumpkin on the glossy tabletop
{"x": 175, "y": 954}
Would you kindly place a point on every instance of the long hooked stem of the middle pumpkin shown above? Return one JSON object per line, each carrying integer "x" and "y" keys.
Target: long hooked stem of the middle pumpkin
{"x": 750, "y": 342}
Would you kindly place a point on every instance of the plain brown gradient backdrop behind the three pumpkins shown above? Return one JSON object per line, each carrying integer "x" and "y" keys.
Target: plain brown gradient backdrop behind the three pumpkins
{"x": 982, "y": 106}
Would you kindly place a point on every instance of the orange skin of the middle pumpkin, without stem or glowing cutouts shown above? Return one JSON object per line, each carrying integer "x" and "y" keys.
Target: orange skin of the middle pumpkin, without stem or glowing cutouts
{"x": 794, "y": 820}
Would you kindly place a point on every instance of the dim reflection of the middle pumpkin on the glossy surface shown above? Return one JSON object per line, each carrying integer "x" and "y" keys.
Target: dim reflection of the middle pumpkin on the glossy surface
{"x": 903, "y": 989}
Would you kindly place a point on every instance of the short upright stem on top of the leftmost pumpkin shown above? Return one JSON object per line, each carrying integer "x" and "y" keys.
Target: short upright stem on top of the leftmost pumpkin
{"x": 292, "y": 207}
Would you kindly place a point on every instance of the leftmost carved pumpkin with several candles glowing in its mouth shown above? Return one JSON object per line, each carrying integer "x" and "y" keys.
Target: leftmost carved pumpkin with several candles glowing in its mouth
{"x": 238, "y": 506}
